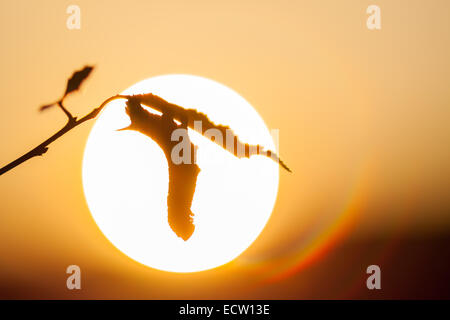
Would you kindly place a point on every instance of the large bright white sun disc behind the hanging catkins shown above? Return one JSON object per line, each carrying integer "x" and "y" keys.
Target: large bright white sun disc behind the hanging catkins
{"x": 125, "y": 179}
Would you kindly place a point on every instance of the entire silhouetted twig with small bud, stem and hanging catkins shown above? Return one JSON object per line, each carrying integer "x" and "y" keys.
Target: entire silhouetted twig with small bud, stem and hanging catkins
{"x": 182, "y": 176}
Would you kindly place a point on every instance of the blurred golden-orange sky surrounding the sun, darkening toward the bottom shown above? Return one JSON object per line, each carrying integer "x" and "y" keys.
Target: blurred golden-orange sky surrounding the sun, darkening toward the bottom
{"x": 364, "y": 124}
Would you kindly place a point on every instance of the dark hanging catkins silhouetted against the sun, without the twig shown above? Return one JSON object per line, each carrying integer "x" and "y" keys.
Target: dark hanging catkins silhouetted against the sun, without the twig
{"x": 183, "y": 175}
